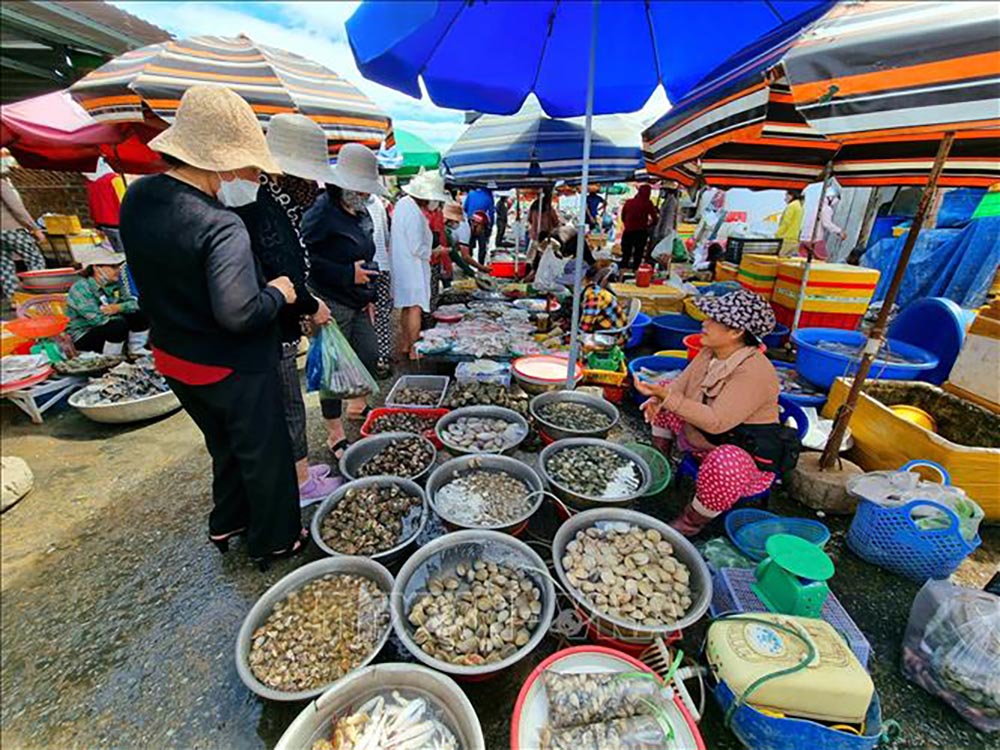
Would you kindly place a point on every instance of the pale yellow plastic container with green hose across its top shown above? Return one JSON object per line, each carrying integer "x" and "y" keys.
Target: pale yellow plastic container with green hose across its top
{"x": 833, "y": 687}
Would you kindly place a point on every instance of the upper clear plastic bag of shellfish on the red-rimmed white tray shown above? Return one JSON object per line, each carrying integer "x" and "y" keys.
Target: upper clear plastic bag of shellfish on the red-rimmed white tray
{"x": 589, "y": 697}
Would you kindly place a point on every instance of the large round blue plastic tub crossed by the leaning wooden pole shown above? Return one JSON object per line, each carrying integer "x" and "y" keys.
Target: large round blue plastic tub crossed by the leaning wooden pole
{"x": 822, "y": 367}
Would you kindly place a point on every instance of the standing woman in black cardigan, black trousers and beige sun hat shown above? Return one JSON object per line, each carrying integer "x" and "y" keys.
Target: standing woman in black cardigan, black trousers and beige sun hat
{"x": 214, "y": 320}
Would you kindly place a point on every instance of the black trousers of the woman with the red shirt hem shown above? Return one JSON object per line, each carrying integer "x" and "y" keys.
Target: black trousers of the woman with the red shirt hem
{"x": 253, "y": 485}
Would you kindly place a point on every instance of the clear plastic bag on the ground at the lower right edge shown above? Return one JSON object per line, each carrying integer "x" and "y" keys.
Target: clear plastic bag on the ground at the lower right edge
{"x": 952, "y": 650}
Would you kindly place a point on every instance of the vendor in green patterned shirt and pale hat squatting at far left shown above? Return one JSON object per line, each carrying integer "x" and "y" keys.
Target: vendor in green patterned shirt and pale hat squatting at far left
{"x": 102, "y": 312}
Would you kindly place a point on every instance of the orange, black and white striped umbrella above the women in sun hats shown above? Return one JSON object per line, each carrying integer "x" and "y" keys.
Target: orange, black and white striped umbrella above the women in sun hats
{"x": 148, "y": 83}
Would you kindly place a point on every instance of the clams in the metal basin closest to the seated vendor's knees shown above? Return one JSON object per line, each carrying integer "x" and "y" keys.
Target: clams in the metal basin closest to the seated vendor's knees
{"x": 594, "y": 471}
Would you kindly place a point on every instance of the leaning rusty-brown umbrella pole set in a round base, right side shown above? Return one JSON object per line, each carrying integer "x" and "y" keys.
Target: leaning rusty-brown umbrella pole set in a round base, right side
{"x": 874, "y": 343}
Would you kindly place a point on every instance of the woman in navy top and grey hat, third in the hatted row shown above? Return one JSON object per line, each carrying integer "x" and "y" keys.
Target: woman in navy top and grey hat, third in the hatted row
{"x": 337, "y": 231}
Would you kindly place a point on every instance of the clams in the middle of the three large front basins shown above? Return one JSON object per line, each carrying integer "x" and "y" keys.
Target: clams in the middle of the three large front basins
{"x": 480, "y": 613}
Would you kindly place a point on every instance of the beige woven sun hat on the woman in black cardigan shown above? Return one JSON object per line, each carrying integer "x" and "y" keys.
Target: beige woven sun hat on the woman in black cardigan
{"x": 215, "y": 129}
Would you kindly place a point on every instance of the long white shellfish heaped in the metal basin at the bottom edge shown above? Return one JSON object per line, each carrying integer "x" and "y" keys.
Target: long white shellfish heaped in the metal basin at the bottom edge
{"x": 392, "y": 722}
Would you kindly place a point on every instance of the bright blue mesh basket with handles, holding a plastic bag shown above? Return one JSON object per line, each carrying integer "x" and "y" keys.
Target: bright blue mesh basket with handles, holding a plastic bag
{"x": 889, "y": 538}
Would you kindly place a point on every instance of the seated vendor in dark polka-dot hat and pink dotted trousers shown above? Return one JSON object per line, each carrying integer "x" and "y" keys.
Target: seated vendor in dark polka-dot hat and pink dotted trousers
{"x": 723, "y": 409}
